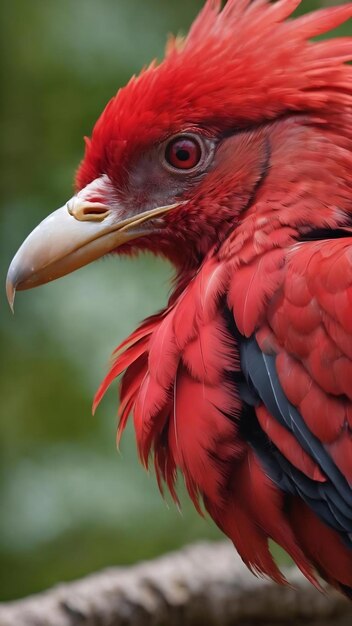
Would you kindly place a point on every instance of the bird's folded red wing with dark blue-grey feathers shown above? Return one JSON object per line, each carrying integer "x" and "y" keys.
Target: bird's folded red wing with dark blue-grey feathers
{"x": 298, "y": 360}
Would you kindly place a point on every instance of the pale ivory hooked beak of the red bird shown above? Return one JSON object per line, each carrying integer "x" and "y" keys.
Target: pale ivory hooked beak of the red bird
{"x": 73, "y": 236}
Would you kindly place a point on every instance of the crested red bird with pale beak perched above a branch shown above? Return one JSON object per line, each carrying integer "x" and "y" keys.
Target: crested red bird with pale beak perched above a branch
{"x": 233, "y": 159}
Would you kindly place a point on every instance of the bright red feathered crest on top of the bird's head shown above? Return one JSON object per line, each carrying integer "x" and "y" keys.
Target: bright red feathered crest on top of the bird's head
{"x": 245, "y": 63}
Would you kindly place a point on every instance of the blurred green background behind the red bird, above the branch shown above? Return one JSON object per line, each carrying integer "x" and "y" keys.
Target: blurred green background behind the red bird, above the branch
{"x": 69, "y": 503}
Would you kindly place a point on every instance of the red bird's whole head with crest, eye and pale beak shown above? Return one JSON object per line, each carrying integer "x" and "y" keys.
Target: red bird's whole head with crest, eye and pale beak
{"x": 177, "y": 155}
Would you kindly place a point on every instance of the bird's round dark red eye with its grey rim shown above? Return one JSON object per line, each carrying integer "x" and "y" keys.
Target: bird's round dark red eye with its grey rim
{"x": 184, "y": 153}
